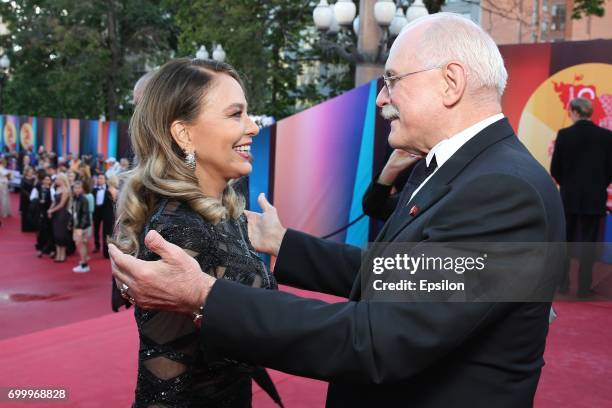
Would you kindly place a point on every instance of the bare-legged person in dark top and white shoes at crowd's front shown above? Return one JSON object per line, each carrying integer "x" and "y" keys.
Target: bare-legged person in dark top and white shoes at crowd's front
{"x": 81, "y": 222}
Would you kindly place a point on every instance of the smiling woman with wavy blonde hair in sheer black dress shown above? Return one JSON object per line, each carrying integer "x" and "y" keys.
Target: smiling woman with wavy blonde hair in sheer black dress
{"x": 191, "y": 135}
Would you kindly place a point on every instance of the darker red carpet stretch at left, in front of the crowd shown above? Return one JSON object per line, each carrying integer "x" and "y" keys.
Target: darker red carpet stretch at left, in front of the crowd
{"x": 36, "y": 294}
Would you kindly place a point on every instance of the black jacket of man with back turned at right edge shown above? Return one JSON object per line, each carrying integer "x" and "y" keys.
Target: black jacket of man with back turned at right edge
{"x": 582, "y": 165}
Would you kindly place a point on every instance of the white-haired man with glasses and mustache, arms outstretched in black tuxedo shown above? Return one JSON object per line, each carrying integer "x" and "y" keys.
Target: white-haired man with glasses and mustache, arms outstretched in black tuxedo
{"x": 443, "y": 83}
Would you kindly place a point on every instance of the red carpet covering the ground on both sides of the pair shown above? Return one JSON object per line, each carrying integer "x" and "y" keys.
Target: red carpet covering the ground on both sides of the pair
{"x": 59, "y": 332}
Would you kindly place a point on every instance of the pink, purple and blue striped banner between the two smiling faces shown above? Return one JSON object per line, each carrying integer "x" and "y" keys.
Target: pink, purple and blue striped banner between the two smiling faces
{"x": 316, "y": 165}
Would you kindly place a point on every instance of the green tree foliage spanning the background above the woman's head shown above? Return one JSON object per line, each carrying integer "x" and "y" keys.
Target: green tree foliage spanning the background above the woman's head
{"x": 81, "y": 58}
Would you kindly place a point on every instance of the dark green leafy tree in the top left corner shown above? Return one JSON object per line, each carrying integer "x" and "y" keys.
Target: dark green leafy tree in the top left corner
{"x": 80, "y": 59}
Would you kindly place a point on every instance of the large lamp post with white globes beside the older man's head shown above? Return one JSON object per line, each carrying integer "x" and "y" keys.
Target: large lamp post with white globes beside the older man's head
{"x": 373, "y": 30}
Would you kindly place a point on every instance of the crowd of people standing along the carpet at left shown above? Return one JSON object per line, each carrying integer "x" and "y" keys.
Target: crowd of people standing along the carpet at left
{"x": 64, "y": 200}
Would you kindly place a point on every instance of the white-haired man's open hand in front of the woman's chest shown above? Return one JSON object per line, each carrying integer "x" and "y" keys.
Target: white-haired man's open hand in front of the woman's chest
{"x": 265, "y": 230}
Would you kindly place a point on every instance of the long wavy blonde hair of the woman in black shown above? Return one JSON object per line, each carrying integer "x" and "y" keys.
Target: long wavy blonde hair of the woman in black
{"x": 174, "y": 93}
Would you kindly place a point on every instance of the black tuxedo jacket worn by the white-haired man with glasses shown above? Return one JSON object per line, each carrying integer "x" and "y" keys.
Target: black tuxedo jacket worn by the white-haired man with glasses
{"x": 391, "y": 354}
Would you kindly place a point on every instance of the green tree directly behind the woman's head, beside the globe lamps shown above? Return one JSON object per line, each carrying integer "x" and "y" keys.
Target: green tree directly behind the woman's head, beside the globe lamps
{"x": 270, "y": 42}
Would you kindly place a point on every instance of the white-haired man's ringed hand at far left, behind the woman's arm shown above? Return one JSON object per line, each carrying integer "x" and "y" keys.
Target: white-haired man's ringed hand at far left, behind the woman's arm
{"x": 174, "y": 283}
